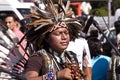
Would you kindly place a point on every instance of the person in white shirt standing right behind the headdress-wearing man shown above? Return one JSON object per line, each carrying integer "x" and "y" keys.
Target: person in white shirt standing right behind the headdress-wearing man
{"x": 80, "y": 46}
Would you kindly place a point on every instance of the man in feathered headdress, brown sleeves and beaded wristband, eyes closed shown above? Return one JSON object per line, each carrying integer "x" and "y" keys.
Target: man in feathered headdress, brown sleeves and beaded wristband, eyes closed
{"x": 50, "y": 32}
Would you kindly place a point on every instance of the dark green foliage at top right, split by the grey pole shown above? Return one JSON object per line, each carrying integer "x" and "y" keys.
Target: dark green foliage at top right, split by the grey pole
{"x": 102, "y": 6}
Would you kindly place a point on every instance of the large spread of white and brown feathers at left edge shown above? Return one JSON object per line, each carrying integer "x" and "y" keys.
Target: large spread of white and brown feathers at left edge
{"x": 9, "y": 53}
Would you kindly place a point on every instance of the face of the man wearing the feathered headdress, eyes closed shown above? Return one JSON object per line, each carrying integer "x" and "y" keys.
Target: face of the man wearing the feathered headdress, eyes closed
{"x": 59, "y": 39}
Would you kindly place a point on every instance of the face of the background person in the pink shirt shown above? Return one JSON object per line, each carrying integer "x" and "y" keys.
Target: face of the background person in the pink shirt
{"x": 10, "y": 22}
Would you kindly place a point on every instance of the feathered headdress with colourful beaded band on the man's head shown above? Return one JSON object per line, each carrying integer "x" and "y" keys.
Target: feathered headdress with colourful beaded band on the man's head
{"x": 46, "y": 15}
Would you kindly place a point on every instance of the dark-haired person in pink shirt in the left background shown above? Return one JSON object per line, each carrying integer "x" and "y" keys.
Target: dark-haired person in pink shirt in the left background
{"x": 13, "y": 23}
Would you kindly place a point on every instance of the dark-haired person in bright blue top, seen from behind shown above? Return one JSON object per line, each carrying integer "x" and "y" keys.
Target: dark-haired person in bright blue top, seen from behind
{"x": 99, "y": 70}
